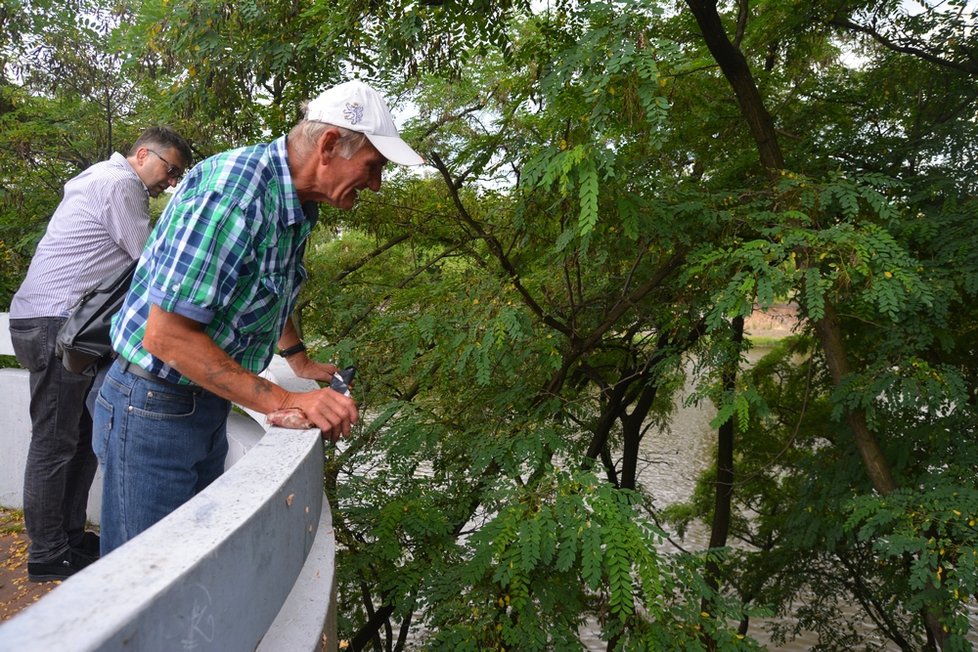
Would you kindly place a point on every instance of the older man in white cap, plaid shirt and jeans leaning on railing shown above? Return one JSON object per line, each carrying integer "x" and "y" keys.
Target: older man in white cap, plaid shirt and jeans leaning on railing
{"x": 213, "y": 295}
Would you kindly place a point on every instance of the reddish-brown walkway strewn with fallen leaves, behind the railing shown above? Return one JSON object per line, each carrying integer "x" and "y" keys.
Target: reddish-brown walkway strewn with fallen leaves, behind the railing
{"x": 16, "y": 591}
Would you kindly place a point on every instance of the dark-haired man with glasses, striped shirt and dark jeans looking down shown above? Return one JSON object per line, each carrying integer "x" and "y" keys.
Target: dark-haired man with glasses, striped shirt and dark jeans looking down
{"x": 100, "y": 226}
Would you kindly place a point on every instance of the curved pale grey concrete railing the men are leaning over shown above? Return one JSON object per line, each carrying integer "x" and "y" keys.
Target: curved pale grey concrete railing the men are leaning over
{"x": 246, "y": 564}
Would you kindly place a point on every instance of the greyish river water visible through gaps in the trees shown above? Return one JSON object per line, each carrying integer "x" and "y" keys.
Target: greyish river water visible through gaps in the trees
{"x": 673, "y": 458}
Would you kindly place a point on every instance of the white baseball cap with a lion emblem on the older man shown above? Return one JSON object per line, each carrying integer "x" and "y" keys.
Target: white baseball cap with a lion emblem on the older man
{"x": 357, "y": 107}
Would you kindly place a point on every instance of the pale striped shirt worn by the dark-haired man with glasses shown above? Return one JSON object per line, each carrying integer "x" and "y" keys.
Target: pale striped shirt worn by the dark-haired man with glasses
{"x": 101, "y": 224}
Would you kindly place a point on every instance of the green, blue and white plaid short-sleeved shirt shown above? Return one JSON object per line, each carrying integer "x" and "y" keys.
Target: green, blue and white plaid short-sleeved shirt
{"x": 227, "y": 252}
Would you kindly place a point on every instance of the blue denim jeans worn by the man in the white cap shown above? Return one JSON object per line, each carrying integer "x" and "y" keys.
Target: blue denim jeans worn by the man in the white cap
{"x": 159, "y": 444}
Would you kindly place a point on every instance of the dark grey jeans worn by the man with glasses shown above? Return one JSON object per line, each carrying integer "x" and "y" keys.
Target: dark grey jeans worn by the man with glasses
{"x": 60, "y": 462}
